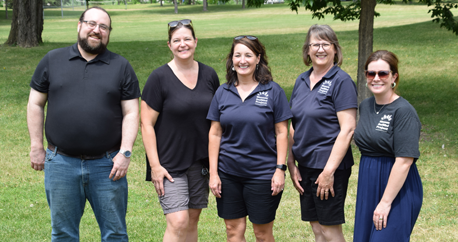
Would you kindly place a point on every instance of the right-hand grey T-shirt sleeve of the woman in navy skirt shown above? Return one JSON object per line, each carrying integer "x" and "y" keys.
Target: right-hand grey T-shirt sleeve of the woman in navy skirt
{"x": 406, "y": 132}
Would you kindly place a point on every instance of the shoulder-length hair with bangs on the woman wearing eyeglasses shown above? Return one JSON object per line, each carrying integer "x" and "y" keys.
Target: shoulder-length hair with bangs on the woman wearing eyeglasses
{"x": 322, "y": 32}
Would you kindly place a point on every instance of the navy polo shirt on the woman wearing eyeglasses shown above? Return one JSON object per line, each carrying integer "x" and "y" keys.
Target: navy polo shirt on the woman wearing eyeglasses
{"x": 315, "y": 120}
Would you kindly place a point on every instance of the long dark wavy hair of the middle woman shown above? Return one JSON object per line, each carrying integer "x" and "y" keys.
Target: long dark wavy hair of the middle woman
{"x": 262, "y": 73}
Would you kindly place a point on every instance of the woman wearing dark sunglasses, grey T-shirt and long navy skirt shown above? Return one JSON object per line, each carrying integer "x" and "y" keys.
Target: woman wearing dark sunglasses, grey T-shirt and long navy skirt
{"x": 390, "y": 192}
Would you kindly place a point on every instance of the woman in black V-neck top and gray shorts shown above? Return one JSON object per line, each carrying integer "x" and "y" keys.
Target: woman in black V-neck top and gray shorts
{"x": 174, "y": 107}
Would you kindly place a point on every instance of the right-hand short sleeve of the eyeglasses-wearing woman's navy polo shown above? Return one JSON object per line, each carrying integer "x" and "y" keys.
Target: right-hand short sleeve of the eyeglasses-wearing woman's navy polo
{"x": 345, "y": 95}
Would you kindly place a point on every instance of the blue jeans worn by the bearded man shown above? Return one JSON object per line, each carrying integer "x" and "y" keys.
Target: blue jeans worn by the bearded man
{"x": 70, "y": 181}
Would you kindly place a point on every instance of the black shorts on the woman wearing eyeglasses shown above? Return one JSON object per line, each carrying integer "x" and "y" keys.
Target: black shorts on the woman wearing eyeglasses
{"x": 326, "y": 212}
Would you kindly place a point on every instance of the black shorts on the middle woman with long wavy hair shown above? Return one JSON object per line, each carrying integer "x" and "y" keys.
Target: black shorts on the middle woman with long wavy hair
{"x": 243, "y": 196}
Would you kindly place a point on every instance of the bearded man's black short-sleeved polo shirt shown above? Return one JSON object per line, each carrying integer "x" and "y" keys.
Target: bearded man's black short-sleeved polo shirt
{"x": 84, "y": 114}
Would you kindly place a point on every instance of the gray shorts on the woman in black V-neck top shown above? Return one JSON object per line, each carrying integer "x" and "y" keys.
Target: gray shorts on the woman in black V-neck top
{"x": 187, "y": 191}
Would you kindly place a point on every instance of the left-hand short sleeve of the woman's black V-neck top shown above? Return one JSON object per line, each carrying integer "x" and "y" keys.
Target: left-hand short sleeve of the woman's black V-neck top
{"x": 152, "y": 92}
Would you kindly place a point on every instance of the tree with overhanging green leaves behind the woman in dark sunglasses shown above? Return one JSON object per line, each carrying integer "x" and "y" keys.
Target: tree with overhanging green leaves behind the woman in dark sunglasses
{"x": 364, "y": 10}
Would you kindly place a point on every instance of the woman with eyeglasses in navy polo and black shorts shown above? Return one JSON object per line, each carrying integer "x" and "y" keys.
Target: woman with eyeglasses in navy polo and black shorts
{"x": 323, "y": 104}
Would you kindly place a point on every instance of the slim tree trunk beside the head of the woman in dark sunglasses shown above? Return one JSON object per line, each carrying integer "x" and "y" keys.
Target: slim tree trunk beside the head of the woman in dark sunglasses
{"x": 366, "y": 39}
